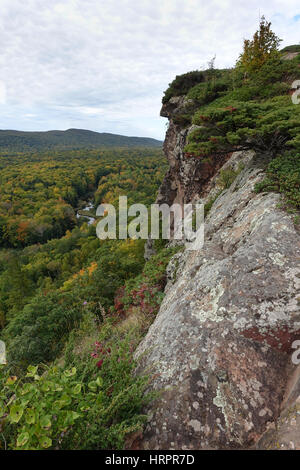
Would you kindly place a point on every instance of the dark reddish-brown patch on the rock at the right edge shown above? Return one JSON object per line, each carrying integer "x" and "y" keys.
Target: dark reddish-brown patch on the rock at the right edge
{"x": 280, "y": 339}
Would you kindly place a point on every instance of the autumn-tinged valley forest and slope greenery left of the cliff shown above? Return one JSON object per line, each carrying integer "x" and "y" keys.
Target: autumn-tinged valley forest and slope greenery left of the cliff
{"x": 57, "y": 277}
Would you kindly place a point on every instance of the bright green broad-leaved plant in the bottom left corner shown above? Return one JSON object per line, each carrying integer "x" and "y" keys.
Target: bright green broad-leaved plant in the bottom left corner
{"x": 42, "y": 407}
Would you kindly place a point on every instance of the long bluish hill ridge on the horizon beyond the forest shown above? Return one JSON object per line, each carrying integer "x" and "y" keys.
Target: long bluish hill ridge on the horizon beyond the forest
{"x": 69, "y": 139}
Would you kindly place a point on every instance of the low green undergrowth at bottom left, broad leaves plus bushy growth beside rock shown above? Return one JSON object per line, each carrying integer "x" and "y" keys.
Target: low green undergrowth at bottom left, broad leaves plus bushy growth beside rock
{"x": 93, "y": 405}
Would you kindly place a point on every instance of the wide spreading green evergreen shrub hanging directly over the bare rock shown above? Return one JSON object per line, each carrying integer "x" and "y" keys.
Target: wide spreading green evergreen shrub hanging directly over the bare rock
{"x": 270, "y": 126}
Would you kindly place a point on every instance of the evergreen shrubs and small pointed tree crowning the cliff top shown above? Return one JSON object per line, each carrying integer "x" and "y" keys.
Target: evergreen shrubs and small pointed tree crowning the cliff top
{"x": 249, "y": 107}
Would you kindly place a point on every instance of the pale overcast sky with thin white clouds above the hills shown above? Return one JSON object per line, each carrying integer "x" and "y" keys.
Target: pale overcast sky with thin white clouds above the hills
{"x": 104, "y": 64}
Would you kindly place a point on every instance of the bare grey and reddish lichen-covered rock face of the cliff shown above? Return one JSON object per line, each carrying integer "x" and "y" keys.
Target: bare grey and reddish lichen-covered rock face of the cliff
{"x": 220, "y": 348}
